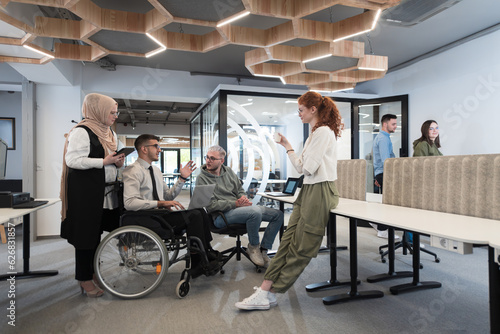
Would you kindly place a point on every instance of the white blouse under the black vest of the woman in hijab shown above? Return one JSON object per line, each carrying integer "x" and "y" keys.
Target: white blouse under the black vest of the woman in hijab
{"x": 77, "y": 157}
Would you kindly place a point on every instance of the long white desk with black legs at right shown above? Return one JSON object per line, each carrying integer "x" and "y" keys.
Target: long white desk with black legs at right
{"x": 450, "y": 226}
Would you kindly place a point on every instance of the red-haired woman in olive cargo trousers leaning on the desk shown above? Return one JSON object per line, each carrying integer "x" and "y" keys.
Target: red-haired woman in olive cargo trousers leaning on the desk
{"x": 318, "y": 195}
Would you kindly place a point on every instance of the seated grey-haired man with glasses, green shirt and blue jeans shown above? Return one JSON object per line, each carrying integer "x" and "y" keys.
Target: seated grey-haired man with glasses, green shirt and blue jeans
{"x": 230, "y": 198}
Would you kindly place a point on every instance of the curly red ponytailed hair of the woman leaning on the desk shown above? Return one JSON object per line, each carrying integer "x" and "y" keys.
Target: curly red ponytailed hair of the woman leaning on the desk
{"x": 328, "y": 113}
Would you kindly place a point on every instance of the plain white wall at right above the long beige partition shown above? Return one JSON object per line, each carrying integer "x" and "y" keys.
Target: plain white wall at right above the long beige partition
{"x": 459, "y": 88}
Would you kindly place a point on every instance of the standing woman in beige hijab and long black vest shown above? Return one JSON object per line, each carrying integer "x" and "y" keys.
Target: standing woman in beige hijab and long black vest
{"x": 88, "y": 206}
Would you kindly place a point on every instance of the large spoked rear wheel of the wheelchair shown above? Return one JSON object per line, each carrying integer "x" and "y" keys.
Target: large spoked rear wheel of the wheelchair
{"x": 131, "y": 262}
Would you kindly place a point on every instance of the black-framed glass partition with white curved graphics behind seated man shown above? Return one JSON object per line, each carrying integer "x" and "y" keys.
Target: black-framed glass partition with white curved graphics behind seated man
{"x": 247, "y": 123}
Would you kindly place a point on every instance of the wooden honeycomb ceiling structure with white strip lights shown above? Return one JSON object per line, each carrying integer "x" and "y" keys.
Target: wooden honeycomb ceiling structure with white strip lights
{"x": 275, "y": 38}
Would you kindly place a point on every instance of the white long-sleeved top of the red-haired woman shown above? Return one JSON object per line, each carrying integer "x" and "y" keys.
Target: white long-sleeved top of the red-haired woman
{"x": 318, "y": 160}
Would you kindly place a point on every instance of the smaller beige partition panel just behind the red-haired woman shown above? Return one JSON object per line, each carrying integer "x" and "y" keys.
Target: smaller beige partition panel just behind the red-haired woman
{"x": 351, "y": 179}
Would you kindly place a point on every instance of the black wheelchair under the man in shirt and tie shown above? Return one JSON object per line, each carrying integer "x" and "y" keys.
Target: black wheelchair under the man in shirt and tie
{"x": 133, "y": 260}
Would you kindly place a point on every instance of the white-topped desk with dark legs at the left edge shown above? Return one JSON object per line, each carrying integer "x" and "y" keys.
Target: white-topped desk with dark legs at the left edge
{"x": 6, "y": 214}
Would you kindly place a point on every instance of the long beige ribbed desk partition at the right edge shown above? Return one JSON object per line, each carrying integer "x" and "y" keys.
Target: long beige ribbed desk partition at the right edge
{"x": 462, "y": 184}
